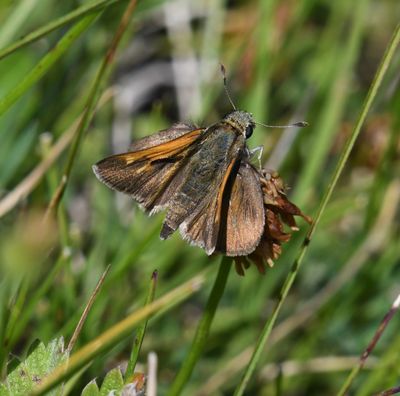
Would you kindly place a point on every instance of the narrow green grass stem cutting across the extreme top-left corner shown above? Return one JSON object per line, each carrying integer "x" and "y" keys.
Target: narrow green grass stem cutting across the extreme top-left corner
{"x": 58, "y": 23}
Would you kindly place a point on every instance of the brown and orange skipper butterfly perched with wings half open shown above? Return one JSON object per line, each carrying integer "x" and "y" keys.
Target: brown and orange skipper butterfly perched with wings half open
{"x": 201, "y": 177}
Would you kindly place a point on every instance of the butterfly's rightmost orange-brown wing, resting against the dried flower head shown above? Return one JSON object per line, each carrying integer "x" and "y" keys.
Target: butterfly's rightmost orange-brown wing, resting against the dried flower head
{"x": 243, "y": 216}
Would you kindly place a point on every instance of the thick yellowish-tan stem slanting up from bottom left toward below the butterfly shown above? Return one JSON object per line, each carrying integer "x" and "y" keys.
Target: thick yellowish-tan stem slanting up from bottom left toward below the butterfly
{"x": 117, "y": 333}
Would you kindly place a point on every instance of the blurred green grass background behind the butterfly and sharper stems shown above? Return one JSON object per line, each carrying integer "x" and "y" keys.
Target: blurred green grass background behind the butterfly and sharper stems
{"x": 286, "y": 61}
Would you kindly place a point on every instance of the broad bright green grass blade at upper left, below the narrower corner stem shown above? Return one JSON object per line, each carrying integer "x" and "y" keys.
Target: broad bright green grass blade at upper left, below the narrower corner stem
{"x": 45, "y": 63}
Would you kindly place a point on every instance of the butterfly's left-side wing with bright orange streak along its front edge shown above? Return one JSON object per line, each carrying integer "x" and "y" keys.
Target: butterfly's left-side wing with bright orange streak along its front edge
{"x": 145, "y": 172}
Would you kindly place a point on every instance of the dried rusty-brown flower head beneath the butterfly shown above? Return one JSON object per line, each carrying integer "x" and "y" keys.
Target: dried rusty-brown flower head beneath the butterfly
{"x": 278, "y": 212}
